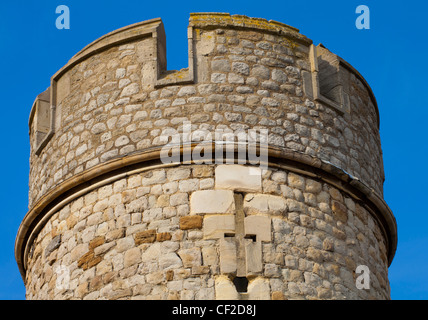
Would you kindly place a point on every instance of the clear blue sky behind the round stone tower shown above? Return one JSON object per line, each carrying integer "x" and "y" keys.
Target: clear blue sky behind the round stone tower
{"x": 391, "y": 56}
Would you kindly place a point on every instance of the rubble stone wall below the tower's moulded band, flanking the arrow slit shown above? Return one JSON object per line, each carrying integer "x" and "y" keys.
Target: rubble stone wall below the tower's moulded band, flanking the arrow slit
{"x": 138, "y": 238}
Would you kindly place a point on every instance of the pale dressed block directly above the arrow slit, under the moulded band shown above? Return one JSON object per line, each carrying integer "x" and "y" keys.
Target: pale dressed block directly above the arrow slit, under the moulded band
{"x": 238, "y": 178}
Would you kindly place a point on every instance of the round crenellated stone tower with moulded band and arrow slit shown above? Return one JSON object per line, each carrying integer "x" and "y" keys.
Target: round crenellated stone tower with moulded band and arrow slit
{"x": 127, "y": 201}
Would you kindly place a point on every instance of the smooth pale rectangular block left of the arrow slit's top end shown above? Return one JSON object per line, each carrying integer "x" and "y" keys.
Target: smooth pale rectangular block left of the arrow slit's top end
{"x": 212, "y": 201}
